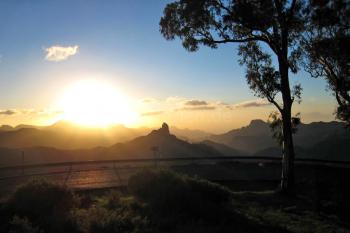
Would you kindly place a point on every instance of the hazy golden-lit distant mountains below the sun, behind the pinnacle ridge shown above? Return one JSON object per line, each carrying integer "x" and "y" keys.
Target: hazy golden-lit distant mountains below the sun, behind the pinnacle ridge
{"x": 65, "y": 135}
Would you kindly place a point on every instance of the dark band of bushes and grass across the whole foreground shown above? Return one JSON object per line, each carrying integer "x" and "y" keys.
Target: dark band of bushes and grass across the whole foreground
{"x": 160, "y": 201}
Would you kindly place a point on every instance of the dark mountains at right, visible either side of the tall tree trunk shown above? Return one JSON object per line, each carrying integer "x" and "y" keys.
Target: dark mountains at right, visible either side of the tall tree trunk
{"x": 319, "y": 140}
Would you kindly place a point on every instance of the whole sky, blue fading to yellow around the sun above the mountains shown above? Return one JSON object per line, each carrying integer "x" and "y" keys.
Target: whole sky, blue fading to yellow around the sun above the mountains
{"x": 46, "y": 47}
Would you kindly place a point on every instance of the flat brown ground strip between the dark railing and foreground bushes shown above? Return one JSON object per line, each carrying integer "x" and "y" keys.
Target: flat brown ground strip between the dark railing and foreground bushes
{"x": 115, "y": 173}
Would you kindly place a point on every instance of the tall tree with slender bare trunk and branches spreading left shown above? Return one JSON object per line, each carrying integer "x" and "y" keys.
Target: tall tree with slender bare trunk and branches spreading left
{"x": 252, "y": 23}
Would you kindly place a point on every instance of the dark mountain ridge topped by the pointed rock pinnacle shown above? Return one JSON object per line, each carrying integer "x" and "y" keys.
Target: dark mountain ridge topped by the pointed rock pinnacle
{"x": 159, "y": 142}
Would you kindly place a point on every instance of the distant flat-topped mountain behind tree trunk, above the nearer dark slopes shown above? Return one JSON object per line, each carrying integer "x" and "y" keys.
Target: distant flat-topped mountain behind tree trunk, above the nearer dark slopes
{"x": 257, "y": 135}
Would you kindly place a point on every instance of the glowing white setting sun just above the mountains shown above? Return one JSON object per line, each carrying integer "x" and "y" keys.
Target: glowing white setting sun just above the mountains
{"x": 95, "y": 103}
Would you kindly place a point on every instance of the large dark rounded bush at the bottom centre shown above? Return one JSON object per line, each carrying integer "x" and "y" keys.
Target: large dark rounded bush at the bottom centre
{"x": 174, "y": 198}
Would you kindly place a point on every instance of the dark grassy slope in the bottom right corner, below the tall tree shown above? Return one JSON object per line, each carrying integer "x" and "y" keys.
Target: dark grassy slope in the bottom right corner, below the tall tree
{"x": 292, "y": 214}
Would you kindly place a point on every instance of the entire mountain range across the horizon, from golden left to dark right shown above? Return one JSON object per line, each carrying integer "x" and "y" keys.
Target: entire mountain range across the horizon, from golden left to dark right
{"x": 66, "y": 142}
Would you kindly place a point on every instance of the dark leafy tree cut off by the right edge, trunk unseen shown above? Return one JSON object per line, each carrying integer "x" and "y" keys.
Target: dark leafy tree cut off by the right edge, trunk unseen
{"x": 327, "y": 50}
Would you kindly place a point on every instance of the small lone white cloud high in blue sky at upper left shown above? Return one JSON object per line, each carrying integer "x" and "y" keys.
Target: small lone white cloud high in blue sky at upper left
{"x": 60, "y": 53}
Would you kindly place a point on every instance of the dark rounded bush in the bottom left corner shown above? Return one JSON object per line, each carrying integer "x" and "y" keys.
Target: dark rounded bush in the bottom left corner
{"x": 45, "y": 204}
